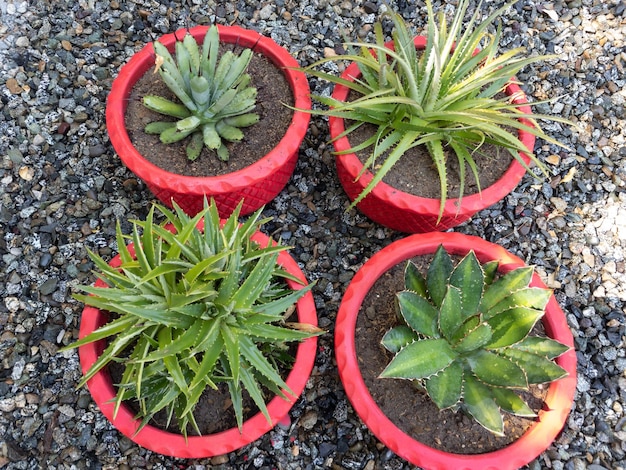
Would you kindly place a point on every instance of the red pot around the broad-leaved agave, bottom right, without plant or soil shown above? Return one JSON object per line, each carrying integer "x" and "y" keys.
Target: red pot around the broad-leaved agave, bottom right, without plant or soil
{"x": 560, "y": 393}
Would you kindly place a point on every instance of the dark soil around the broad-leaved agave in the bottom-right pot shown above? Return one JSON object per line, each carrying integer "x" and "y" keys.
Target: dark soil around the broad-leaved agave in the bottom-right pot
{"x": 408, "y": 408}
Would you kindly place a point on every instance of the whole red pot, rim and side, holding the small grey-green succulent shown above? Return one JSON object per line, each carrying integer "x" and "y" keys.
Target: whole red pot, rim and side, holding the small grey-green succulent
{"x": 256, "y": 184}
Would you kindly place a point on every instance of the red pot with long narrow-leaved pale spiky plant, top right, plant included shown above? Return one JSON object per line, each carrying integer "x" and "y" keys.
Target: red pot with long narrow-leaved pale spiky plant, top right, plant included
{"x": 439, "y": 103}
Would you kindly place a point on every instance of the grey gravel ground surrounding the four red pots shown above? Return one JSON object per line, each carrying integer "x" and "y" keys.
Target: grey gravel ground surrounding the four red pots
{"x": 62, "y": 188}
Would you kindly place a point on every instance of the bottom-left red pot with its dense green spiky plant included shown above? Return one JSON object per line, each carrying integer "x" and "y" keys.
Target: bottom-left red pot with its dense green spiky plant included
{"x": 196, "y": 305}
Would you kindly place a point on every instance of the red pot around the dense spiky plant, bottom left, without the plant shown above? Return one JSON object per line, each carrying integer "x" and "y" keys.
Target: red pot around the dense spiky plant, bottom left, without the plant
{"x": 163, "y": 442}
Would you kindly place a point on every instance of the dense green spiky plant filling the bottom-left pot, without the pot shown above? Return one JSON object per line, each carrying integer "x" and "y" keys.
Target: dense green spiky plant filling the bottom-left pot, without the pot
{"x": 196, "y": 305}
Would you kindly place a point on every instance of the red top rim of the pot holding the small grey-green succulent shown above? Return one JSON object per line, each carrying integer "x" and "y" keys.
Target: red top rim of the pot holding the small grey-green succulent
{"x": 143, "y": 61}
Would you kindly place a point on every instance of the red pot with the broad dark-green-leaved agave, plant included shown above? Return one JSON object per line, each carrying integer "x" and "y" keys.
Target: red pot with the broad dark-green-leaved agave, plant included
{"x": 463, "y": 325}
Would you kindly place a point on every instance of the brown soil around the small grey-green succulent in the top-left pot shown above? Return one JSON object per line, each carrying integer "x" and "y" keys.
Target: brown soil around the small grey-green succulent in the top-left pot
{"x": 273, "y": 97}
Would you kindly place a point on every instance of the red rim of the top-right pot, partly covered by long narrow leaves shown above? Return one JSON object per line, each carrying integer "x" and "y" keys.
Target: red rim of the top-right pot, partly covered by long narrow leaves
{"x": 470, "y": 204}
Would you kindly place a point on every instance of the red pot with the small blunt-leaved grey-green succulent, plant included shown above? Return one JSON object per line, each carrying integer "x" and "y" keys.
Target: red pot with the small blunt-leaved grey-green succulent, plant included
{"x": 266, "y": 174}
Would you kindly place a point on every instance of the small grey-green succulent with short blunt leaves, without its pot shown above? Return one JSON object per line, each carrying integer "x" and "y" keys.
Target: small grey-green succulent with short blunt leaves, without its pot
{"x": 216, "y": 99}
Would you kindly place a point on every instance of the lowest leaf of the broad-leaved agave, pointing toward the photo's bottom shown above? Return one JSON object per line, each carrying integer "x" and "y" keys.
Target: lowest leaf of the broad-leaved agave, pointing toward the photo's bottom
{"x": 479, "y": 403}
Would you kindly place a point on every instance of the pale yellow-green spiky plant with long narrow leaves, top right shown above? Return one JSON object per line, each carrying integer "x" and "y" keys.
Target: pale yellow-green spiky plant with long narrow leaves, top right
{"x": 448, "y": 96}
